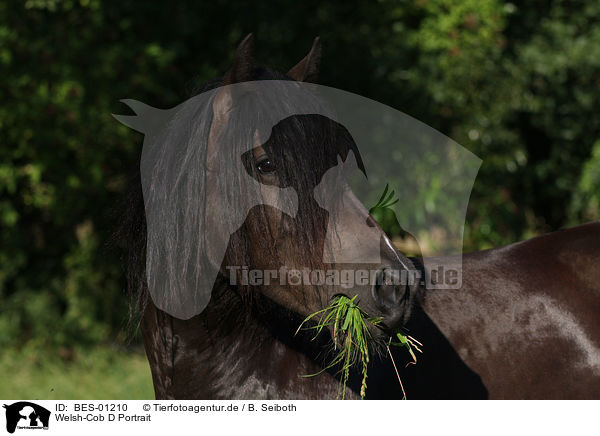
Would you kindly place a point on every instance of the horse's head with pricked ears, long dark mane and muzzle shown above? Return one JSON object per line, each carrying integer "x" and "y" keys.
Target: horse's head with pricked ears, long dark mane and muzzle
{"x": 251, "y": 176}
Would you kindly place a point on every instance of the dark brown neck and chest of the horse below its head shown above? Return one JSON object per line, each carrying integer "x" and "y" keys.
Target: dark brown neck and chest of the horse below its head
{"x": 230, "y": 351}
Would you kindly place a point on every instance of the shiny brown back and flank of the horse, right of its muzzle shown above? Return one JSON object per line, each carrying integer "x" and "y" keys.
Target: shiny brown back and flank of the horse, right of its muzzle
{"x": 526, "y": 319}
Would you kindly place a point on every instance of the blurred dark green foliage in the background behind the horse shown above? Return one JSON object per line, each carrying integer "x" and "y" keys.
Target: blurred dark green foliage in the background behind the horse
{"x": 518, "y": 85}
